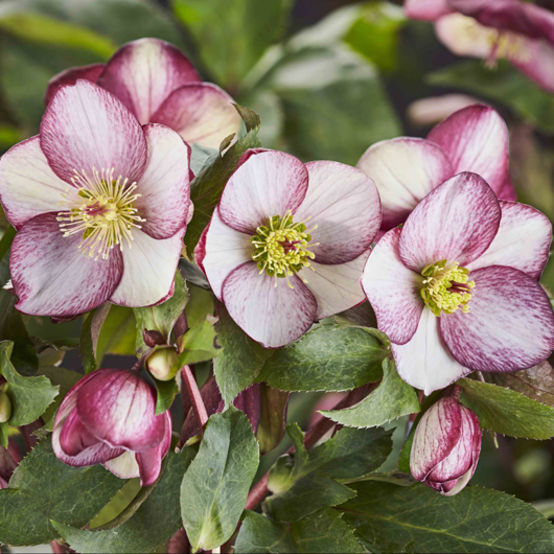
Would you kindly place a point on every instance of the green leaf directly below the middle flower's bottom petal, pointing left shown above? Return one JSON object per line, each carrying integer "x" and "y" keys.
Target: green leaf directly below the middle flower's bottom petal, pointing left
{"x": 330, "y": 357}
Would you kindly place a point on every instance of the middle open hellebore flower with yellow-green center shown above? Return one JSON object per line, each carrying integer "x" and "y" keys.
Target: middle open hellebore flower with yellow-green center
{"x": 287, "y": 243}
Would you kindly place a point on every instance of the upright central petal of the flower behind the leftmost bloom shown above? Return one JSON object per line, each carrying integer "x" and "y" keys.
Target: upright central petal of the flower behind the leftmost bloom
{"x": 143, "y": 73}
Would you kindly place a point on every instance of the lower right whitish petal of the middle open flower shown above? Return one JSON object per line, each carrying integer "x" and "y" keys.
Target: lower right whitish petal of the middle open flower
{"x": 336, "y": 287}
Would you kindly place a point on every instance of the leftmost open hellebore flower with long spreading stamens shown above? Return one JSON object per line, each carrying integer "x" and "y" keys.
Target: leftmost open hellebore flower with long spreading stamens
{"x": 100, "y": 204}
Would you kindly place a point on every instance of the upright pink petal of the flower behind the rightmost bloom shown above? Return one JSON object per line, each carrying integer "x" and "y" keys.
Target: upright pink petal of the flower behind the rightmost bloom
{"x": 476, "y": 139}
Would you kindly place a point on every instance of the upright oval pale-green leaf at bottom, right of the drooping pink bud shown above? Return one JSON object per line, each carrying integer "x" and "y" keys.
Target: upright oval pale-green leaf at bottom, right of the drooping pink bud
{"x": 216, "y": 484}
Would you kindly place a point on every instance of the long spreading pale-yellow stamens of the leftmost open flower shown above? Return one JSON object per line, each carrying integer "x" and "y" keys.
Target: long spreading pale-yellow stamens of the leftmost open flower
{"x": 107, "y": 214}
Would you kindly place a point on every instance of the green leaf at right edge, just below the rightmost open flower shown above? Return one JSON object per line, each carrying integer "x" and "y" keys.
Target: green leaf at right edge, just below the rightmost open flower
{"x": 506, "y": 411}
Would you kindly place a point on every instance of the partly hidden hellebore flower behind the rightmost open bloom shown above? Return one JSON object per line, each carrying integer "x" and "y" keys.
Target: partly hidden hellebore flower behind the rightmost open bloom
{"x": 405, "y": 169}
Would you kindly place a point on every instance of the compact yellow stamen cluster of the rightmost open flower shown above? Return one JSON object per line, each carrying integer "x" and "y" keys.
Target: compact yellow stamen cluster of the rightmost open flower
{"x": 446, "y": 287}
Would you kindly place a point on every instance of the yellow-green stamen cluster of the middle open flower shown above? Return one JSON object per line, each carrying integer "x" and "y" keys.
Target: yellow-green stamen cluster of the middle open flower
{"x": 281, "y": 246}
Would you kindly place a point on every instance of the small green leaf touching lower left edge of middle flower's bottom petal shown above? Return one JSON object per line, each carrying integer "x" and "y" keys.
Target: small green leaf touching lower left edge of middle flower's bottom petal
{"x": 238, "y": 364}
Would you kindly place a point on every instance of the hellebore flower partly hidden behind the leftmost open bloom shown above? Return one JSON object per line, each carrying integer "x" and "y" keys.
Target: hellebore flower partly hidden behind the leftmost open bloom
{"x": 158, "y": 84}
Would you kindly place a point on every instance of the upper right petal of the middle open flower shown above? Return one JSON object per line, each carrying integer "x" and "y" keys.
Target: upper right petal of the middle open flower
{"x": 342, "y": 208}
